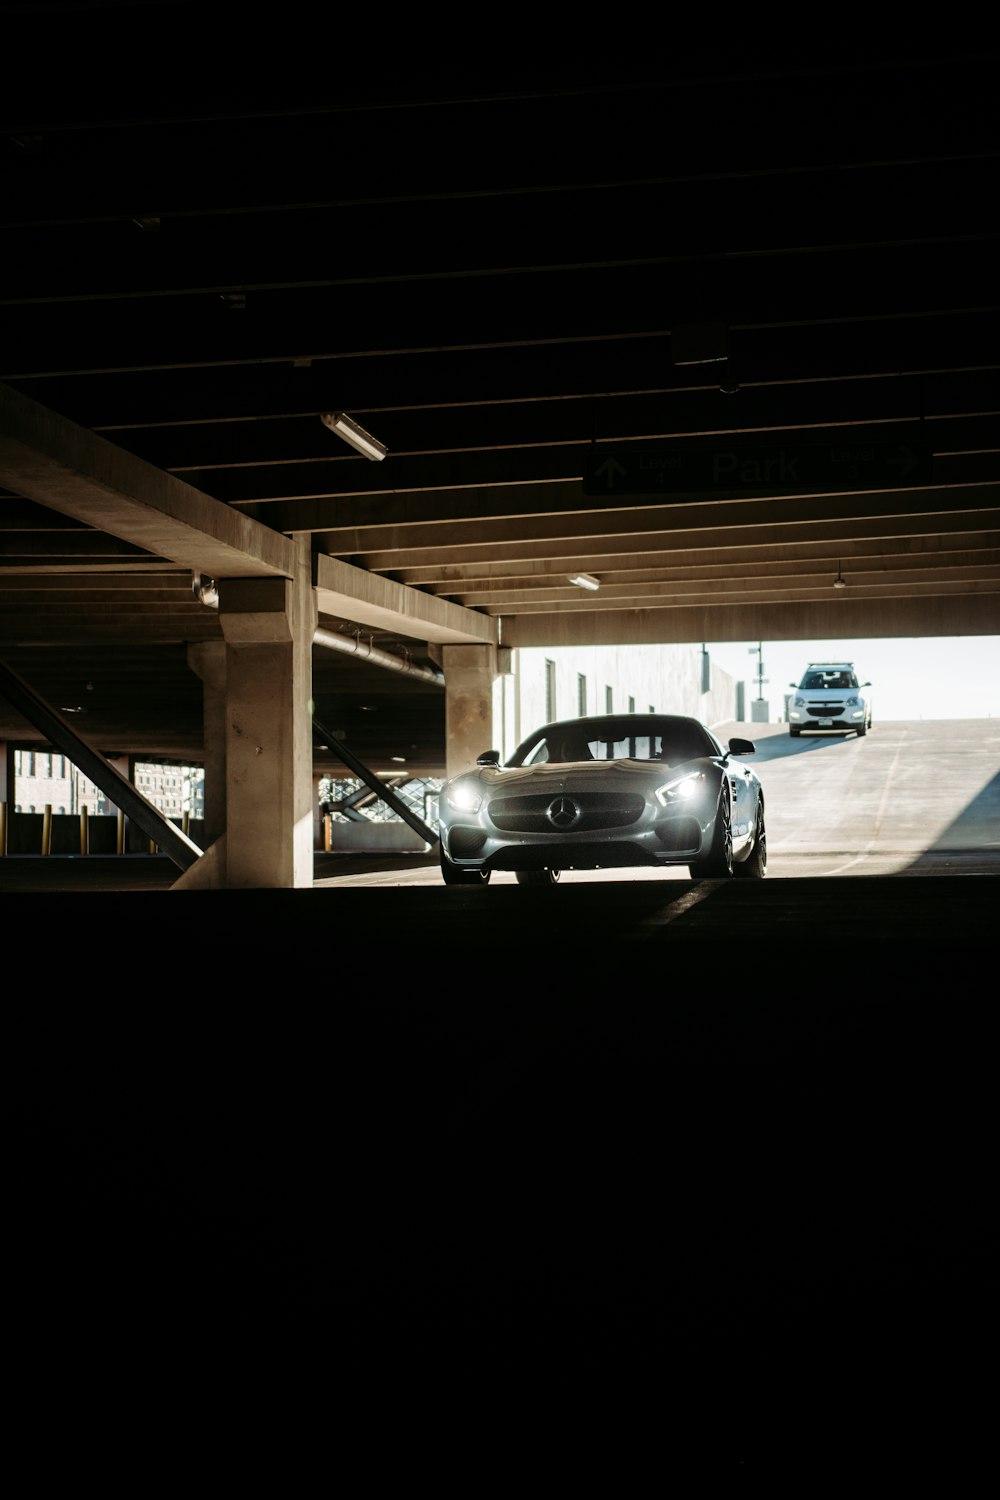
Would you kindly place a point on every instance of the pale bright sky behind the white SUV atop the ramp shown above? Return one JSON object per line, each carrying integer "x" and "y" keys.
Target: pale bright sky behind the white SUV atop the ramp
{"x": 939, "y": 677}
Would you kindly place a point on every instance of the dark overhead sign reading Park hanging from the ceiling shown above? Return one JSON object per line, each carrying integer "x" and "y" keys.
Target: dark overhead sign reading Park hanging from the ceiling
{"x": 731, "y": 467}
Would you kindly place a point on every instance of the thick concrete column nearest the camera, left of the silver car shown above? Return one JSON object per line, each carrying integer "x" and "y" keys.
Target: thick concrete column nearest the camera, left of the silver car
{"x": 269, "y": 628}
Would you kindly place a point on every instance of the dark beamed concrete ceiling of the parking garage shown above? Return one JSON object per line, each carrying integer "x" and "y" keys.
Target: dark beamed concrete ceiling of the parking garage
{"x": 710, "y": 325}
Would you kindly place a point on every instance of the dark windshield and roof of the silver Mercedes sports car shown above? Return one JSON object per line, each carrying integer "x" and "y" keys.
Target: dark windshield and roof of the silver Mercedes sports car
{"x": 672, "y": 742}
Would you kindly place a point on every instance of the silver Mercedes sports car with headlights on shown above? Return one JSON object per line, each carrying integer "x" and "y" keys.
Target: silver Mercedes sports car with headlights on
{"x": 605, "y": 793}
